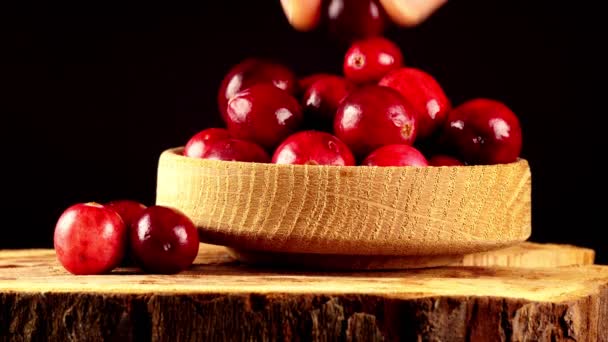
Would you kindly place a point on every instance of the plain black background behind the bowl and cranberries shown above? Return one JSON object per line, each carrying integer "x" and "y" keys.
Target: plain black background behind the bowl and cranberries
{"x": 91, "y": 93}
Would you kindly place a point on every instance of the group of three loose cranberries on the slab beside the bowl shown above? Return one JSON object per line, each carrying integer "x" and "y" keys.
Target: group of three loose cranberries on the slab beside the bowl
{"x": 91, "y": 238}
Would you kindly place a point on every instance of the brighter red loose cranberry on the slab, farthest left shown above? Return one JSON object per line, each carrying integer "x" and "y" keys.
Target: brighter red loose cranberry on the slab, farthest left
{"x": 90, "y": 238}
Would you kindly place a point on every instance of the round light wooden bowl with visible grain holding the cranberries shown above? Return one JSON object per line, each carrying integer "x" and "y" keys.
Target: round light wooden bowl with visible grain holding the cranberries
{"x": 349, "y": 217}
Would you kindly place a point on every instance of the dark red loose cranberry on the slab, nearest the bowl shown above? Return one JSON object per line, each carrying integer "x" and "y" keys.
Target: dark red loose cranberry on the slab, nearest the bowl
{"x": 164, "y": 240}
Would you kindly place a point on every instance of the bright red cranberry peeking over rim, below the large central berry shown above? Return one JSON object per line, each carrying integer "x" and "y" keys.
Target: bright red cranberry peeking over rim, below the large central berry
{"x": 396, "y": 155}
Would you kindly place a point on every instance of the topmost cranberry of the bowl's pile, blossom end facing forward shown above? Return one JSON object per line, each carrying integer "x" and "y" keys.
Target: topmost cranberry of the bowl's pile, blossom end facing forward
{"x": 370, "y": 59}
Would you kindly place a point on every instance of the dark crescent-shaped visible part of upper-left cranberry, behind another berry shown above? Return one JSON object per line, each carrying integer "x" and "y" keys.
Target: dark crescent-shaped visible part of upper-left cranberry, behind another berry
{"x": 253, "y": 71}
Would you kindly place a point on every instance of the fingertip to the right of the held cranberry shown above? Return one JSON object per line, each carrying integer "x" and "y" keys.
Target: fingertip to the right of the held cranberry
{"x": 410, "y": 12}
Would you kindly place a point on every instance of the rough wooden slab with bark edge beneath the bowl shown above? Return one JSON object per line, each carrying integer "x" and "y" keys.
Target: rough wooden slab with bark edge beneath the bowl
{"x": 221, "y": 299}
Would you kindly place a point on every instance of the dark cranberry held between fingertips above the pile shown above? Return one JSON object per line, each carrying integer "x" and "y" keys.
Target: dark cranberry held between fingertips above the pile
{"x": 348, "y": 20}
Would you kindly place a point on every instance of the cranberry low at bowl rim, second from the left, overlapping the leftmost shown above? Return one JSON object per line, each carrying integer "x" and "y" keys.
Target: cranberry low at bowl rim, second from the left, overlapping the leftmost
{"x": 236, "y": 150}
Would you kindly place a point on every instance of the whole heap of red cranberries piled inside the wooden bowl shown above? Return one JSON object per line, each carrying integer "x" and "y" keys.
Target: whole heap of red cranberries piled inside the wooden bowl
{"x": 379, "y": 113}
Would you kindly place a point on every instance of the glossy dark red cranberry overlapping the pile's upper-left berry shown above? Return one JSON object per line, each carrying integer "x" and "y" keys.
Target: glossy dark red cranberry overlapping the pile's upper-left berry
{"x": 263, "y": 114}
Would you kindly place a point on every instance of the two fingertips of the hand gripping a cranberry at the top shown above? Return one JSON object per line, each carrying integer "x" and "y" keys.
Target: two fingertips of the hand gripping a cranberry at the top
{"x": 304, "y": 14}
